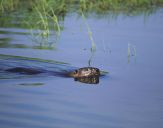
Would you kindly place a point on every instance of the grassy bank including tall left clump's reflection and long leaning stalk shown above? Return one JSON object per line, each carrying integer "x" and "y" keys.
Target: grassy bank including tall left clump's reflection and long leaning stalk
{"x": 43, "y": 17}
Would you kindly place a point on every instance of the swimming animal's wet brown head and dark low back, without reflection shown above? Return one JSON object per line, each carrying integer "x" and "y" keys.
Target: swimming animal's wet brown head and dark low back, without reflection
{"x": 81, "y": 72}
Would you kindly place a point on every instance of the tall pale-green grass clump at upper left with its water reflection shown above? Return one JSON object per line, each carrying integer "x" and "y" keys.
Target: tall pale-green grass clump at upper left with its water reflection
{"x": 41, "y": 30}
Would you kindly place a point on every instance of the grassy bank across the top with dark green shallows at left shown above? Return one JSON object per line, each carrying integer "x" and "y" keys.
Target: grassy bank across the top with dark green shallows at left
{"x": 56, "y": 10}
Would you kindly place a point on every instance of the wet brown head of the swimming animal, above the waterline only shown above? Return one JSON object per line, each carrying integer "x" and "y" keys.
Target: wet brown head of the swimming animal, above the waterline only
{"x": 85, "y": 72}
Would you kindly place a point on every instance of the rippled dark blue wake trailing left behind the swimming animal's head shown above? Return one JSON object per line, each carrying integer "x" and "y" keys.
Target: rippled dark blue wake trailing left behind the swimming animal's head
{"x": 17, "y": 66}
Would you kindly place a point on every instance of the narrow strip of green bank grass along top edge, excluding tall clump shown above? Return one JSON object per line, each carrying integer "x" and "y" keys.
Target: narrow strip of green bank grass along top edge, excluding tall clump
{"x": 61, "y": 7}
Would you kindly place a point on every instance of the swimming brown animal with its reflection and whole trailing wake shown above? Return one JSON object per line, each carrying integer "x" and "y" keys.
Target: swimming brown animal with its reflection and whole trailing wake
{"x": 22, "y": 67}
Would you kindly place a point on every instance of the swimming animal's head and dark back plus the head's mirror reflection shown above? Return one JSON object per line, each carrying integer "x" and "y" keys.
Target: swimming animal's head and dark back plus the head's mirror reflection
{"x": 88, "y": 75}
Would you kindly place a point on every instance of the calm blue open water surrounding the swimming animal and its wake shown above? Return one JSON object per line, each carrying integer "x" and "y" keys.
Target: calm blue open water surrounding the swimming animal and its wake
{"x": 130, "y": 96}
